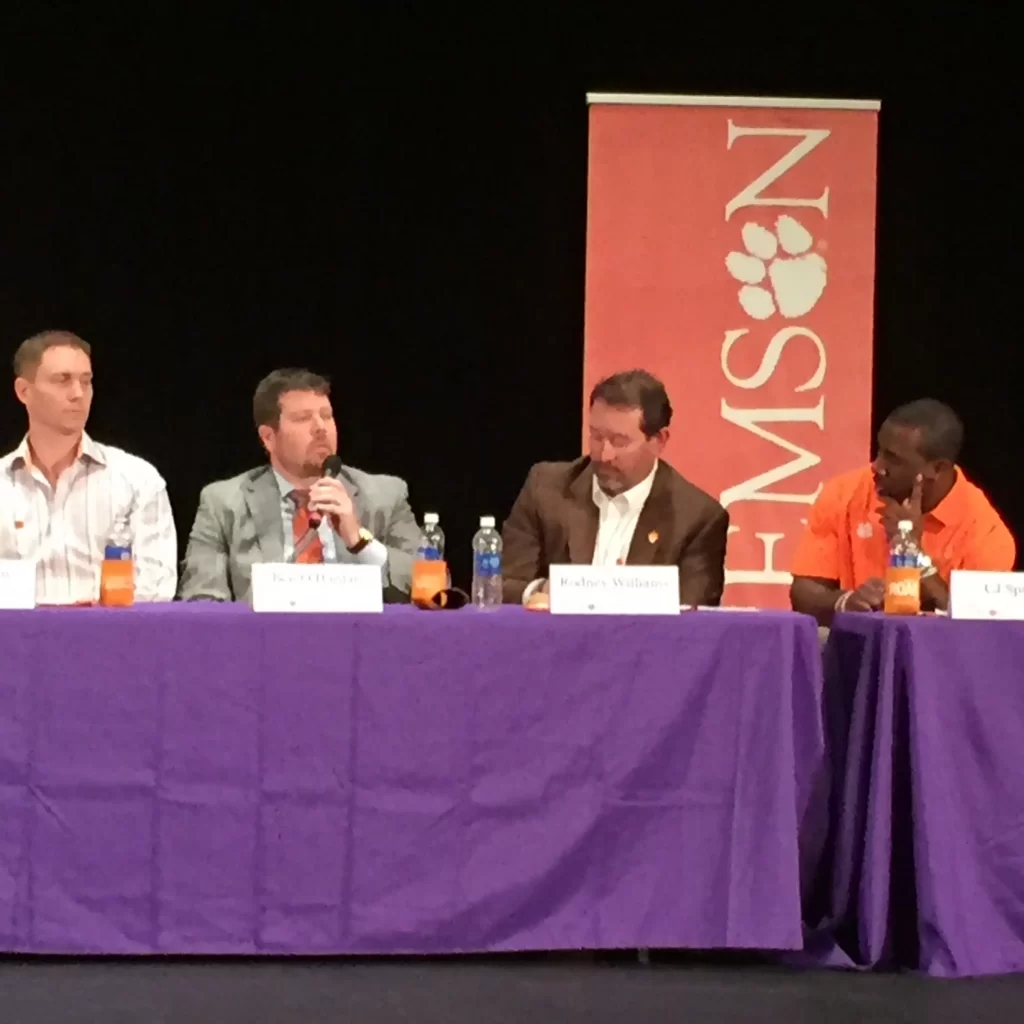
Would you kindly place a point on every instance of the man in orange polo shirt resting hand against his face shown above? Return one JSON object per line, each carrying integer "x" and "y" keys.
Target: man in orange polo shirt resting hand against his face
{"x": 841, "y": 563}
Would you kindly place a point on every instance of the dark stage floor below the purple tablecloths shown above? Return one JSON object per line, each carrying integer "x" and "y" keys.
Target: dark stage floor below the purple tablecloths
{"x": 484, "y": 991}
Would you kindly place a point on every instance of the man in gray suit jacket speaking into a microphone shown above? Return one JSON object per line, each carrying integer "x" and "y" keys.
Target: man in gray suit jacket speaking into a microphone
{"x": 270, "y": 515}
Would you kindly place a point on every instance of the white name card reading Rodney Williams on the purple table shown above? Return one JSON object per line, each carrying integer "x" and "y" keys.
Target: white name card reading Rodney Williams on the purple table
{"x": 614, "y": 590}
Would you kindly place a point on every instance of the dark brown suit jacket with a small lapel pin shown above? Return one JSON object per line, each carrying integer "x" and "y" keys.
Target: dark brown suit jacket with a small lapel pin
{"x": 554, "y": 523}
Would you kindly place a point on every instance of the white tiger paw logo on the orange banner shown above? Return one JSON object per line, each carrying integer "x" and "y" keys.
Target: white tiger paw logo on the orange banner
{"x": 779, "y": 272}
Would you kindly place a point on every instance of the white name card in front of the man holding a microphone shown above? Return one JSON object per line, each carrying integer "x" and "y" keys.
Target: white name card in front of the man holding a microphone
{"x": 285, "y": 587}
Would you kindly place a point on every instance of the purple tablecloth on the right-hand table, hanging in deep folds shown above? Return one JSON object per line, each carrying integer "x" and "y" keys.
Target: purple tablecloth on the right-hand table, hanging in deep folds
{"x": 929, "y": 857}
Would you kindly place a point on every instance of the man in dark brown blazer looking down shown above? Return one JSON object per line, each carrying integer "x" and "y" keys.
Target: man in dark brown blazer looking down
{"x": 619, "y": 505}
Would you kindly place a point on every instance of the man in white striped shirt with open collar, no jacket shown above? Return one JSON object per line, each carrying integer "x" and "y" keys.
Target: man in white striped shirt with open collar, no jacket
{"x": 63, "y": 495}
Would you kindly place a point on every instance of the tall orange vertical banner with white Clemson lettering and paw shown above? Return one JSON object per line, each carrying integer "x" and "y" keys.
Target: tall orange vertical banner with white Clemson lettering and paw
{"x": 731, "y": 251}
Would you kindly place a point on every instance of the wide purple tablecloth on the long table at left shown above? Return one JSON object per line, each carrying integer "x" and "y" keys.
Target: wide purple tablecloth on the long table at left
{"x": 202, "y": 780}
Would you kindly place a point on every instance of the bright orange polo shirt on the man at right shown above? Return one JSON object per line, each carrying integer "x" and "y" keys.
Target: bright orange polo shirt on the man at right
{"x": 846, "y": 541}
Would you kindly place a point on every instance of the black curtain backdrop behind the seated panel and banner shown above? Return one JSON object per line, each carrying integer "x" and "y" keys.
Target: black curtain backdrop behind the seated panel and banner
{"x": 400, "y": 201}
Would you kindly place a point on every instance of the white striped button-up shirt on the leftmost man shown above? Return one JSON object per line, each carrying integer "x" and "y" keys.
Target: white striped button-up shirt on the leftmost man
{"x": 66, "y": 529}
